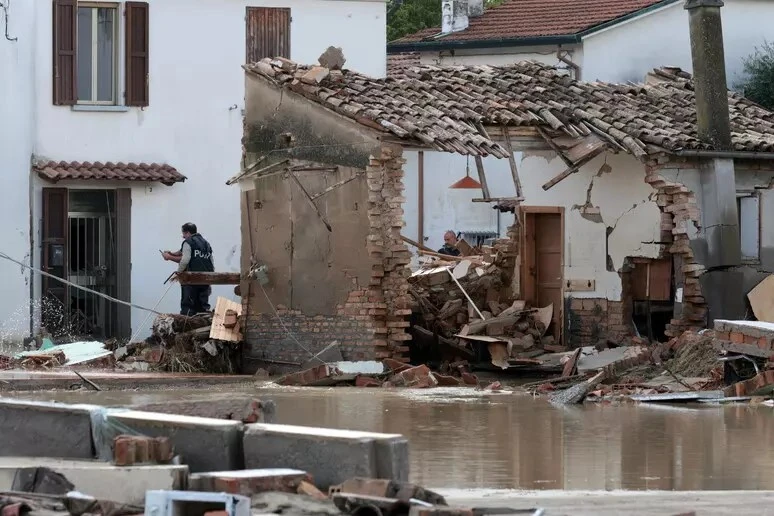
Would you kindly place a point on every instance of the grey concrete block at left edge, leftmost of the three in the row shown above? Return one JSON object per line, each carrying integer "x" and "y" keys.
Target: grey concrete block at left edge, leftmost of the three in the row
{"x": 44, "y": 429}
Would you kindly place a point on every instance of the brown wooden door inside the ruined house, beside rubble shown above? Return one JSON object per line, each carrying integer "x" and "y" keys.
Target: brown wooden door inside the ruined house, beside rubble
{"x": 543, "y": 264}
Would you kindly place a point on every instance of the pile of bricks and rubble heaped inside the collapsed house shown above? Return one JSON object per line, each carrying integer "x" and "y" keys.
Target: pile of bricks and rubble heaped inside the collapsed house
{"x": 464, "y": 310}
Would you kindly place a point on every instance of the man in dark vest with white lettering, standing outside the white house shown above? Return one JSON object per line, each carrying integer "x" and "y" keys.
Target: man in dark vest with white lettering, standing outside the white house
{"x": 195, "y": 255}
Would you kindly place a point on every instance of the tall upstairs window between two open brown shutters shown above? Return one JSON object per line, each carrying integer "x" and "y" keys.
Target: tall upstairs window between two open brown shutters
{"x": 96, "y": 54}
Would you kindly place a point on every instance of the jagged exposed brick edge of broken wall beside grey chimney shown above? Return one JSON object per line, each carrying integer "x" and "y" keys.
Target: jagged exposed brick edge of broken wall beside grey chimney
{"x": 680, "y": 215}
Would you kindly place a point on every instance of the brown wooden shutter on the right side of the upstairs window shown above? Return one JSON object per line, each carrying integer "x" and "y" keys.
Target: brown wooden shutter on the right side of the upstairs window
{"x": 137, "y": 54}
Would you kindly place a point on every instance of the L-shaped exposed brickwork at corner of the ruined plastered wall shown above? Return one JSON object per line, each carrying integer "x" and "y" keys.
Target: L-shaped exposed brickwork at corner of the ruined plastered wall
{"x": 372, "y": 323}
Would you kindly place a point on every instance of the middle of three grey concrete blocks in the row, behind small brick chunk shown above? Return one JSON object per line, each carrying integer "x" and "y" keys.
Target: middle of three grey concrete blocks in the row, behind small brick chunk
{"x": 204, "y": 444}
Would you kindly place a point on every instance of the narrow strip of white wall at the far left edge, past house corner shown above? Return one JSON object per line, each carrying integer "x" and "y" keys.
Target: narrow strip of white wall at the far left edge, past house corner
{"x": 17, "y": 120}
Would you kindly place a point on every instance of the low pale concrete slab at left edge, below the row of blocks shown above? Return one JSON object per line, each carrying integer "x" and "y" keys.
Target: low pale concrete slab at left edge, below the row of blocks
{"x": 99, "y": 479}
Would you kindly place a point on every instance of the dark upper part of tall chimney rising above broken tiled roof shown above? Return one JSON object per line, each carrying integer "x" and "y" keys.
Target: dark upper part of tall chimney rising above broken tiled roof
{"x": 709, "y": 72}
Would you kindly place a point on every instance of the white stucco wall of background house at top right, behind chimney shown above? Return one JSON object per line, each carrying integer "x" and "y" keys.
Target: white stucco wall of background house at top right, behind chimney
{"x": 626, "y": 52}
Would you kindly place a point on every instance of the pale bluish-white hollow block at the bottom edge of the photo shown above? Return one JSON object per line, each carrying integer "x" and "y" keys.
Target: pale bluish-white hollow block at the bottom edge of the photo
{"x": 182, "y": 503}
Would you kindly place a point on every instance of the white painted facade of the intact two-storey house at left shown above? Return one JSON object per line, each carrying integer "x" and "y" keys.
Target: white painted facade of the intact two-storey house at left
{"x": 194, "y": 123}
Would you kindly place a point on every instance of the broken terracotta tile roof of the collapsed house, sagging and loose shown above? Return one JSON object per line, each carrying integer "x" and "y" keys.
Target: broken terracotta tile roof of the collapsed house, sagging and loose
{"x": 447, "y": 107}
